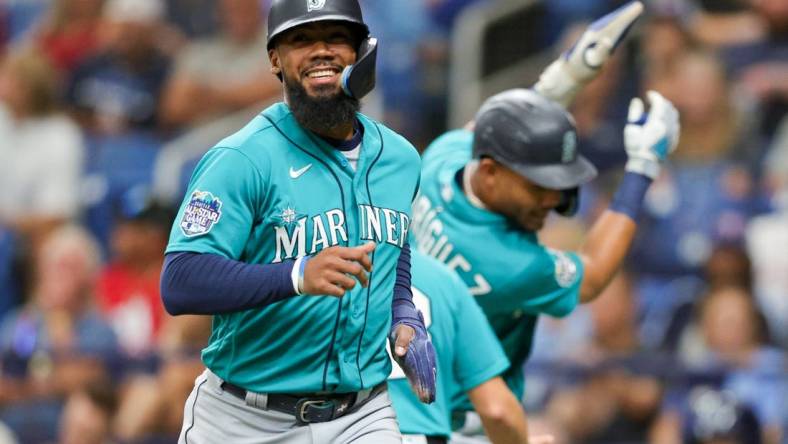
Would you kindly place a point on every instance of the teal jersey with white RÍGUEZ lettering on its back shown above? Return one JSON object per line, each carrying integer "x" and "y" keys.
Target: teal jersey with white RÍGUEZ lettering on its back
{"x": 513, "y": 277}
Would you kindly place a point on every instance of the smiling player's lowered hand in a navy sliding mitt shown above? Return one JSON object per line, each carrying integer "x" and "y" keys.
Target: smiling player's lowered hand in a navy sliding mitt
{"x": 414, "y": 353}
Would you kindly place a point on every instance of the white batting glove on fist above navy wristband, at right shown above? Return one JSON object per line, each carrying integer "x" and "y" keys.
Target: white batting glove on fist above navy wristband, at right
{"x": 650, "y": 136}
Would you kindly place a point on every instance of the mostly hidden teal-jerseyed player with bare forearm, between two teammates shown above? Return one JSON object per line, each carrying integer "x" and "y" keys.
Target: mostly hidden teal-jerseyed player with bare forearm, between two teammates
{"x": 470, "y": 359}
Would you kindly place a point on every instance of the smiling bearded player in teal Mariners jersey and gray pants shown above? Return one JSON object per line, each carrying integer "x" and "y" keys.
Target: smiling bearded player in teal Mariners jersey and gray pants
{"x": 293, "y": 234}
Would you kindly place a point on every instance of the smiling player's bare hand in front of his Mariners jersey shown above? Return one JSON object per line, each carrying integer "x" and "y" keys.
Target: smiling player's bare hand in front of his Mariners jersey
{"x": 335, "y": 270}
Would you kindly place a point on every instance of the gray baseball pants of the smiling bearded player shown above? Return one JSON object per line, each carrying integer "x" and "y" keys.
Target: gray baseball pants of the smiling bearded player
{"x": 213, "y": 416}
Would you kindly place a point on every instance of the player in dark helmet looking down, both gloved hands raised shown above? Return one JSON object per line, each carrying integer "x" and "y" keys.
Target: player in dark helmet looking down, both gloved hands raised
{"x": 486, "y": 192}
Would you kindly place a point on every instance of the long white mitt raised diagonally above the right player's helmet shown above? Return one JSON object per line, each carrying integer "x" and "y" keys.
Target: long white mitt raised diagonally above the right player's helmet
{"x": 579, "y": 65}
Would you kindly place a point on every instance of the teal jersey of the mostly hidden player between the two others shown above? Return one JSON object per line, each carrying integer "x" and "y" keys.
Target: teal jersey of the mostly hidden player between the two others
{"x": 468, "y": 353}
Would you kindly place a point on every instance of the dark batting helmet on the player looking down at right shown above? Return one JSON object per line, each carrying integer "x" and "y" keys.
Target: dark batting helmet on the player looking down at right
{"x": 536, "y": 138}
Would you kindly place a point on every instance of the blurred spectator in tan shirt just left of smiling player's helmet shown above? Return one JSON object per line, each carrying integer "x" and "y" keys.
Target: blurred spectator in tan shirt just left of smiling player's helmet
{"x": 222, "y": 74}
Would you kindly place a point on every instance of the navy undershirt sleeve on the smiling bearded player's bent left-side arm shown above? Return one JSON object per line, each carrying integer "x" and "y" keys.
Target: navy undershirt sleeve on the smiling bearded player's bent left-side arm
{"x": 194, "y": 283}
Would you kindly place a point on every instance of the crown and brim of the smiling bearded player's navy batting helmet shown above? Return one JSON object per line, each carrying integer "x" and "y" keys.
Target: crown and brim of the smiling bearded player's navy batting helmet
{"x": 288, "y": 14}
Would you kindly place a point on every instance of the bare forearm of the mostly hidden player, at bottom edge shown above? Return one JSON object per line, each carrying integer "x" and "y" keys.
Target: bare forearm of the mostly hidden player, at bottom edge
{"x": 501, "y": 414}
